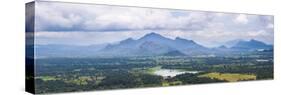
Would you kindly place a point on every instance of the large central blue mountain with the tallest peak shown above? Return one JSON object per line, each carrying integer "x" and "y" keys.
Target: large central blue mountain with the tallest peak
{"x": 154, "y": 44}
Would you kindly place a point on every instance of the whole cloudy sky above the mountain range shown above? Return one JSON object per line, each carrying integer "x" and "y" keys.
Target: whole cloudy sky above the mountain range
{"x": 88, "y": 24}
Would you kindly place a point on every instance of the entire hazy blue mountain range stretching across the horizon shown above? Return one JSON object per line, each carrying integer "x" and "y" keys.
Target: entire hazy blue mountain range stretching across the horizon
{"x": 151, "y": 44}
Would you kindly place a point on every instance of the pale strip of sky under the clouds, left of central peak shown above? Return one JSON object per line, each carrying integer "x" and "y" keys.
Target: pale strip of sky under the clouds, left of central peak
{"x": 85, "y": 38}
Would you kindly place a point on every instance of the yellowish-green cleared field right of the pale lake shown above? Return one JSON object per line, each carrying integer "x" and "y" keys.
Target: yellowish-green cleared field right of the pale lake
{"x": 231, "y": 77}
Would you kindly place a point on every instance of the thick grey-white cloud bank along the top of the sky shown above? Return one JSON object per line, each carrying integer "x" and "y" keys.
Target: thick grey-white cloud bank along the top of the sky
{"x": 86, "y": 17}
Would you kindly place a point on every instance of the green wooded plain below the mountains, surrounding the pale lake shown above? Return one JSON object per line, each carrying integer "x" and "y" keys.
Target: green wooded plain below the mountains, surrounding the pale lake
{"x": 84, "y": 74}
